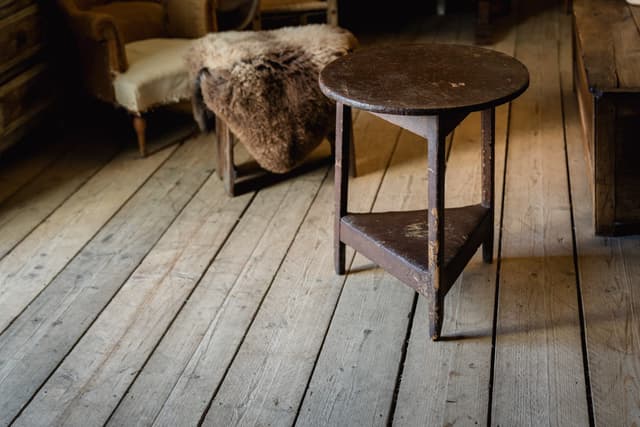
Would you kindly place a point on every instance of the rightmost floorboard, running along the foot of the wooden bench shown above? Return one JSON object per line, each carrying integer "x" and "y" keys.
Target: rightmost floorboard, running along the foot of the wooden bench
{"x": 609, "y": 276}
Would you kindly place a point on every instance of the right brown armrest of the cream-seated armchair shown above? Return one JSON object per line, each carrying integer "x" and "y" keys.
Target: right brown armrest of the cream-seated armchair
{"x": 191, "y": 18}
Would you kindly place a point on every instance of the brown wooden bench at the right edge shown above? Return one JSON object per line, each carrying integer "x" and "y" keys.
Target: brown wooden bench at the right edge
{"x": 607, "y": 83}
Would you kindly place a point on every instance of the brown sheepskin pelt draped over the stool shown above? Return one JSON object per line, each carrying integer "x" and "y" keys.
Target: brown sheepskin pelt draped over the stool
{"x": 264, "y": 85}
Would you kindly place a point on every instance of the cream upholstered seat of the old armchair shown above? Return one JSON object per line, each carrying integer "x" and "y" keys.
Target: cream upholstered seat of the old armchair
{"x": 157, "y": 74}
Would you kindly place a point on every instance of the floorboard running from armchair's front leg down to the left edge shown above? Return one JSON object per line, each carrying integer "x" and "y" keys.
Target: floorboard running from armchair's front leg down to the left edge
{"x": 32, "y": 264}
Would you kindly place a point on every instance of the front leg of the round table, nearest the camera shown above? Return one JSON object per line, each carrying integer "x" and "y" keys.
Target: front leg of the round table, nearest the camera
{"x": 436, "y": 170}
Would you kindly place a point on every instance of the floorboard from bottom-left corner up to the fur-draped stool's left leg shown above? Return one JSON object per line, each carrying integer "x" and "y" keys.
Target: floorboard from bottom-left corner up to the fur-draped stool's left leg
{"x": 40, "y": 338}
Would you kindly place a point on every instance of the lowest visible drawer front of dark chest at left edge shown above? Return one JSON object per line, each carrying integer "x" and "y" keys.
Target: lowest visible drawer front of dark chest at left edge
{"x": 23, "y": 98}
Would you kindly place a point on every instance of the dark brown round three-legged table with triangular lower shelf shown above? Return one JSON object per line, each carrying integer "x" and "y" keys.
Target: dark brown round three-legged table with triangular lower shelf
{"x": 428, "y": 89}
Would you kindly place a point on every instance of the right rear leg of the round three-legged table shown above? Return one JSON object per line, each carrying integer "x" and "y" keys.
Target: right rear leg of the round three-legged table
{"x": 488, "y": 177}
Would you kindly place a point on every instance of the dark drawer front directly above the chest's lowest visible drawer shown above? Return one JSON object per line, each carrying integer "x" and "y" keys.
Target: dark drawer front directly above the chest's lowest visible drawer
{"x": 20, "y": 37}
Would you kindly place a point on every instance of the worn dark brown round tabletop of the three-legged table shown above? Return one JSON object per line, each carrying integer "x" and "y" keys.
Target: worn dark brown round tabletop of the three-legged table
{"x": 424, "y": 79}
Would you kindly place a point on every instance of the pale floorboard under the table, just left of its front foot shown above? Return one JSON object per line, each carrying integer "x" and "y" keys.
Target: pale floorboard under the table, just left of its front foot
{"x": 355, "y": 375}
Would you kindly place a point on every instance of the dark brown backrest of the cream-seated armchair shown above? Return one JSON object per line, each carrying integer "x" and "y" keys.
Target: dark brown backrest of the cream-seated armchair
{"x": 136, "y": 20}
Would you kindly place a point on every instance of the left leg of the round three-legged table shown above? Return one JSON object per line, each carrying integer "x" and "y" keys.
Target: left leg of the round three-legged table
{"x": 342, "y": 145}
